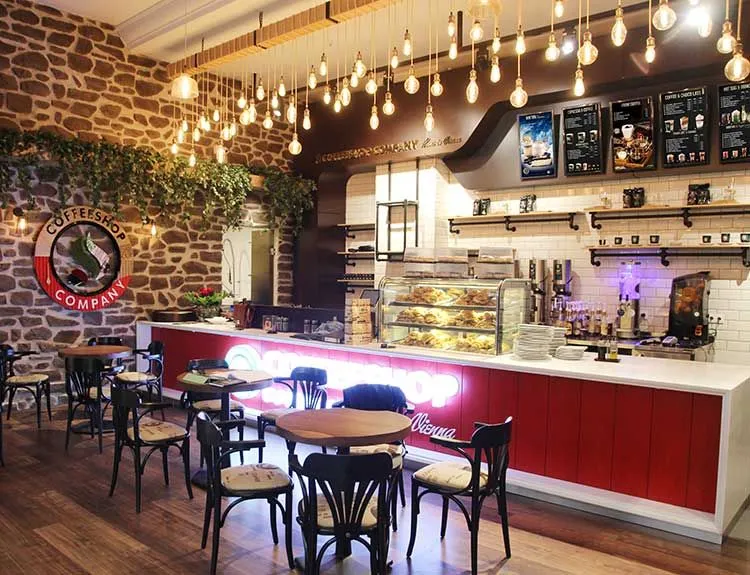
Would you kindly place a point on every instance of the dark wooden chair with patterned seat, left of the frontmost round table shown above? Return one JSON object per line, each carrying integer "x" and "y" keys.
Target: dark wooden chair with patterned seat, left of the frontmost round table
{"x": 243, "y": 483}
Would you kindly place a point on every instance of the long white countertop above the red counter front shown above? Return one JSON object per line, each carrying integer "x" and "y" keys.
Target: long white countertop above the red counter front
{"x": 698, "y": 377}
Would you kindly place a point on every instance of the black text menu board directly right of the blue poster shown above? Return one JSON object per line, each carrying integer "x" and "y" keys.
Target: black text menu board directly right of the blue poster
{"x": 583, "y": 140}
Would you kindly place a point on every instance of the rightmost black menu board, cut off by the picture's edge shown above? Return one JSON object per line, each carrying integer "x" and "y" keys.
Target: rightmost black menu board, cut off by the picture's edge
{"x": 734, "y": 122}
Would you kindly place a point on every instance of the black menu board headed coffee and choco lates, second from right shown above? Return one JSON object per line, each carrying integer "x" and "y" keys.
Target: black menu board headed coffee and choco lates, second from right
{"x": 683, "y": 116}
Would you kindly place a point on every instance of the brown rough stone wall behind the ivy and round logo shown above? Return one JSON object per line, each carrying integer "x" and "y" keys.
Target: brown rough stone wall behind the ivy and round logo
{"x": 67, "y": 74}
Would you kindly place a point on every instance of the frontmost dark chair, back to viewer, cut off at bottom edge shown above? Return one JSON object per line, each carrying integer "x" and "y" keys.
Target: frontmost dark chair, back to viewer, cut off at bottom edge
{"x": 345, "y": 497}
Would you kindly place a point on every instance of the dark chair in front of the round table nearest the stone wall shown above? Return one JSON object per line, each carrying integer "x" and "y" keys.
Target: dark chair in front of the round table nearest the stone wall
{"x": 83, "y": 386}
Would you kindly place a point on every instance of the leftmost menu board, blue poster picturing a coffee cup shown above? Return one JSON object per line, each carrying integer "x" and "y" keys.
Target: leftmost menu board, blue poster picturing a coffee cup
{"x": 537, "y": 145}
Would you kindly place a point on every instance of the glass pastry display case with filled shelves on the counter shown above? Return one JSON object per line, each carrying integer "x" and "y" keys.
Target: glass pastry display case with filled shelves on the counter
{"x": 467, "y": 315}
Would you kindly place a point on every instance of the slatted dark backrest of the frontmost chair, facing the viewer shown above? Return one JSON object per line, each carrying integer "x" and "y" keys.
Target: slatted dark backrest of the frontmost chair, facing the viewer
{"x": 350, "y": 485}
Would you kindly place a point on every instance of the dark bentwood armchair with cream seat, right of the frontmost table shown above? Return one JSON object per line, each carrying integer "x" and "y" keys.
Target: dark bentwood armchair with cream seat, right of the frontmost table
{"x": 452, "y": 480}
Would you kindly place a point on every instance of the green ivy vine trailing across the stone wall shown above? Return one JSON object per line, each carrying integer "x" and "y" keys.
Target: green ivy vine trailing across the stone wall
{"x": 116, "y": 175}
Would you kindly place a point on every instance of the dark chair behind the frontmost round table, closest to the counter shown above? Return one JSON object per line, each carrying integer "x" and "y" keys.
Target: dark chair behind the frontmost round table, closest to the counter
{"x": 378, "y": 397}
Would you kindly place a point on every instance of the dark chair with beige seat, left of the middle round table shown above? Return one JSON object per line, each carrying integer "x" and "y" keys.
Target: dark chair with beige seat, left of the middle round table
{"x": 137, "y": 432}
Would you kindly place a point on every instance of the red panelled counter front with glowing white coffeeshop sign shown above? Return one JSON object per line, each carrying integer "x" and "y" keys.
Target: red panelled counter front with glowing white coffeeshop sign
{"x": 655, "y": 444}
